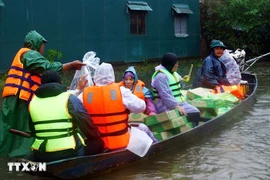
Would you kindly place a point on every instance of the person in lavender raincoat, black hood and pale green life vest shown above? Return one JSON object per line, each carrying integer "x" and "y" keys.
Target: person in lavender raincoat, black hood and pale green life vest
{"x": 166, "y": 83}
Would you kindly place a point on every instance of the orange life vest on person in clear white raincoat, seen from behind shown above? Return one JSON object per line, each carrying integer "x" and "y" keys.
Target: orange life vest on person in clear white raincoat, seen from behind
{"x": 105, "y": 106}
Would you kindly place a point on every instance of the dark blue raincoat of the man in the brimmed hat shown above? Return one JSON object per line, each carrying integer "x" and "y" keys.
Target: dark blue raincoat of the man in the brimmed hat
{"x": 211, "y": 74}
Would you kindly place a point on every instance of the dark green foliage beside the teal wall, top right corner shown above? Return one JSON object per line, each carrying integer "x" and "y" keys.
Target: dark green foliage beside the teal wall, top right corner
{"x": 238, "y": 23}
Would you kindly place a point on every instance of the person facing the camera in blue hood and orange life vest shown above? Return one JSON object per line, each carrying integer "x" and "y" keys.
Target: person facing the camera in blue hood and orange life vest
{"x": 131, "y": 81}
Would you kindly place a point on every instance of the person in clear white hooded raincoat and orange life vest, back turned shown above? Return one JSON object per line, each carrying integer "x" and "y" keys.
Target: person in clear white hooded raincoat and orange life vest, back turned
{"x": 108, "y": 105}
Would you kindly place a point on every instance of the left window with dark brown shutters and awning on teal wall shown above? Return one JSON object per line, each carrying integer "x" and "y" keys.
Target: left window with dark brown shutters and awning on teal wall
{"x": 137, "y": 11}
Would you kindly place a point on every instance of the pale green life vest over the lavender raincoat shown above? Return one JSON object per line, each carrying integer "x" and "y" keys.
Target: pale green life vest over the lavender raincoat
{"x": 174, "y": 83}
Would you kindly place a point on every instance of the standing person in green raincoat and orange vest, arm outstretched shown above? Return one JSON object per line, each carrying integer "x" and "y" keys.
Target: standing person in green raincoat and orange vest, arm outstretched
{"x": 22, "y": 81}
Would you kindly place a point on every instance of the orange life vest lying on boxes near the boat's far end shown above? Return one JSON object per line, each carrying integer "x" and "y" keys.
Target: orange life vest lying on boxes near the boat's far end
{"x": 237, "y": 90}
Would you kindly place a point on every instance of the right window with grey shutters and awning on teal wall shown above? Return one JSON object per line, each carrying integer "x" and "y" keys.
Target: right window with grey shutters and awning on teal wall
{"x": 181, "y": 12}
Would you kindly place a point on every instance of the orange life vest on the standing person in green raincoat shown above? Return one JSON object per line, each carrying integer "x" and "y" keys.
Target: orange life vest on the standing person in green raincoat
{"x": 21, "y": 80}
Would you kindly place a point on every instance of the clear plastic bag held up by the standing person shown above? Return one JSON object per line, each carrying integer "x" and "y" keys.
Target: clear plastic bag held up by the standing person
{"x": 92, "y": 63}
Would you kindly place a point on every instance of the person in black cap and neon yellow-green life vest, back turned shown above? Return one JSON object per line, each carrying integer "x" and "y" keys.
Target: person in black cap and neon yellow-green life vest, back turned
{"x": 54, "y": 110}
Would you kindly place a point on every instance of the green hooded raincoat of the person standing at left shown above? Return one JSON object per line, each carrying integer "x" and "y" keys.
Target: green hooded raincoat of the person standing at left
{"x": 14, "y": 112}
